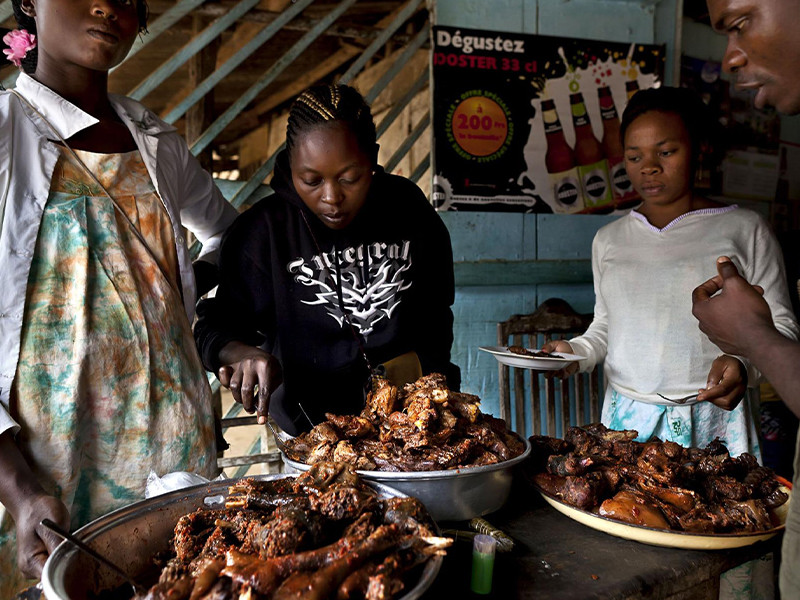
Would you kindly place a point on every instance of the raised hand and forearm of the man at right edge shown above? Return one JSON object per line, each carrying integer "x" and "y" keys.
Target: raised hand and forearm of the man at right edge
{"x": 738, "y": 320}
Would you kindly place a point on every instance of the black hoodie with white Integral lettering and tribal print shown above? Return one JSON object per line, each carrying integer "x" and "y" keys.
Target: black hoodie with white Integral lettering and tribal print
{"x": 392, "y": 268}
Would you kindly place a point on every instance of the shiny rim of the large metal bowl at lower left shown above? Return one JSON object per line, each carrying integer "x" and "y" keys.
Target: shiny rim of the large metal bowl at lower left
{"x": 121, "y": 515}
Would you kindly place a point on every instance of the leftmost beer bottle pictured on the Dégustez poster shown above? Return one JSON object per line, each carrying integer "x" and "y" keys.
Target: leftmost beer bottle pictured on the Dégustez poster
{"x": 560, "y": 163}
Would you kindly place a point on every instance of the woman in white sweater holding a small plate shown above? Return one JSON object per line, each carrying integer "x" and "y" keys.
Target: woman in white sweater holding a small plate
{"x": 645, "y": 267}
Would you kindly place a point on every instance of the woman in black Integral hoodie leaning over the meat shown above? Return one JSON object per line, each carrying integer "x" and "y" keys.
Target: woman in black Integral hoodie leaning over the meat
{"x": 344, "y": 271}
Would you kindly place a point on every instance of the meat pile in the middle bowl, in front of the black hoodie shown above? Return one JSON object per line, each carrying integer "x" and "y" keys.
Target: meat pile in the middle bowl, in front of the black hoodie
{"x": 422, "y": 427}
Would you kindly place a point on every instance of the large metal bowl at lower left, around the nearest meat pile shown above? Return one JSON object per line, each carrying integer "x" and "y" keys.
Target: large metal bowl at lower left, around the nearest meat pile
{"x": 131, "y": 536}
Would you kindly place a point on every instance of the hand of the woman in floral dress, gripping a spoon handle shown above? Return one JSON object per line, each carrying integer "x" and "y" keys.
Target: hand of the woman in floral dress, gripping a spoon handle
{"x": 34, "y": 542}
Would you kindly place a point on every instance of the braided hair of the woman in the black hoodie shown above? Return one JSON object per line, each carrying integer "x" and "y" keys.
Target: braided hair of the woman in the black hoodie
{"x": 323, "y": 104}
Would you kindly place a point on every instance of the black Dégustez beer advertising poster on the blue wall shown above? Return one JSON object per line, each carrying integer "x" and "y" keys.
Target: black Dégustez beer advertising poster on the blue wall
{"x": 531, "y": 123}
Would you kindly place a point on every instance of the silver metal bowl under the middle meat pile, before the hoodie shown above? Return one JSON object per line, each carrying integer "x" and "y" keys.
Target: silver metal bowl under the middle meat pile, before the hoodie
{"x": 449, "y": 495}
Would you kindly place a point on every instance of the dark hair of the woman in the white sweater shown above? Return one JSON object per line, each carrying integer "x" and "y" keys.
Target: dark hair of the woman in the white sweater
{"x": 703, "y": 128}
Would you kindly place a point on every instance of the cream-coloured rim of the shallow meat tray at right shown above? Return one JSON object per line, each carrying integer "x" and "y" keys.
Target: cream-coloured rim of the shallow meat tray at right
{"x": 668, "y": 538}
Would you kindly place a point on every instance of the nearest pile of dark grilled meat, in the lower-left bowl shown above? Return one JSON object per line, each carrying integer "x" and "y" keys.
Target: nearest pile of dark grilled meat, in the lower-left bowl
{"x": 324, "y": 534}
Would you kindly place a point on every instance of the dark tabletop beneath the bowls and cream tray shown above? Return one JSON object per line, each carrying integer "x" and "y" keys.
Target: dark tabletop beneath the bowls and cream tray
{"x": 557, "y": 558}
